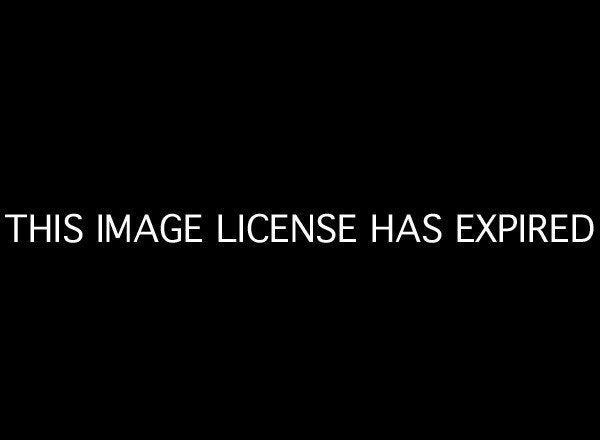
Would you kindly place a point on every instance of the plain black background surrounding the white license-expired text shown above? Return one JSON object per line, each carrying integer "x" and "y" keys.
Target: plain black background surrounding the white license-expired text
{"x": 368, "y": 113}
